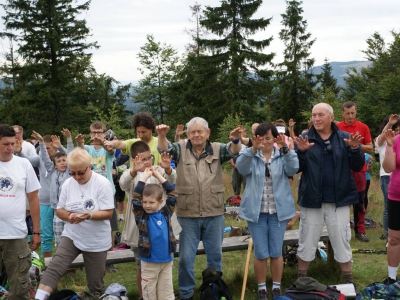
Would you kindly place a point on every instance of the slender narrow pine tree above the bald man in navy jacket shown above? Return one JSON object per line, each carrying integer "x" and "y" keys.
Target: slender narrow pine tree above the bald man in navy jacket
{"x": 294, "y": 78}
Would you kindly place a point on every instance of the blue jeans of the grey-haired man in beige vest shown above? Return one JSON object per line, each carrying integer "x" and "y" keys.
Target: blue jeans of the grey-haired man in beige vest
{"x": 211, "y": 231}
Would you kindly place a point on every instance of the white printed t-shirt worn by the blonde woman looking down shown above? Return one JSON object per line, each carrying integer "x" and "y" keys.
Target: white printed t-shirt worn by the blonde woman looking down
{"x": 90, "y": 235}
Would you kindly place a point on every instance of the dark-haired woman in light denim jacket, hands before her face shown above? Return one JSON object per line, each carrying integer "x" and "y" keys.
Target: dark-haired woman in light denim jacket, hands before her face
{"x": 267, "y": 202}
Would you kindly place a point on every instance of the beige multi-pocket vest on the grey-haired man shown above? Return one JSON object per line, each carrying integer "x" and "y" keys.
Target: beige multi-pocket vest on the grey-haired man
{"x": 199, "y": 184}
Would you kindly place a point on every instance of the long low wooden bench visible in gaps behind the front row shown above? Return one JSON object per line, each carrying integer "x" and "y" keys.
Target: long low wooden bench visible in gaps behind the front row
{"x": 228, "y": 244}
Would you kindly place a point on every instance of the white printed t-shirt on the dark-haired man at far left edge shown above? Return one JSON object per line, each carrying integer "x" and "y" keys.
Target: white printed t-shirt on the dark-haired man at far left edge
{"x": 17, "y": 178}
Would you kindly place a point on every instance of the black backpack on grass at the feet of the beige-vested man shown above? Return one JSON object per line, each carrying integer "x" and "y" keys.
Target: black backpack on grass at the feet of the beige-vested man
{"x": 213, "y": 287}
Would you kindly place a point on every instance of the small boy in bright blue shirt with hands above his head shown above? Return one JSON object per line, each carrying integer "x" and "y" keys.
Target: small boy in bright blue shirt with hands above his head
{"x": 157, "y": 243}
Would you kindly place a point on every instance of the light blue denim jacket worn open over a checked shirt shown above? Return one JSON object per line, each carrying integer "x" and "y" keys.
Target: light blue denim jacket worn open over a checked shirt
{"x": 252, "y": 166}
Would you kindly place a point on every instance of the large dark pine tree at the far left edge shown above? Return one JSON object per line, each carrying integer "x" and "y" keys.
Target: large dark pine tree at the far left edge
{"x": 51, "y": 40}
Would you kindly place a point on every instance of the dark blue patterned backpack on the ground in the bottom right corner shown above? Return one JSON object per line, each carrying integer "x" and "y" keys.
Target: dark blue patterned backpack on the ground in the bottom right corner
{"x": 379, "y": 290}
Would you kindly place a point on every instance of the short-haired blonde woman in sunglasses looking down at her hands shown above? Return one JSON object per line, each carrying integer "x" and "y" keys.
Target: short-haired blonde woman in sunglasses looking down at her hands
{"x": 86, "y": 204}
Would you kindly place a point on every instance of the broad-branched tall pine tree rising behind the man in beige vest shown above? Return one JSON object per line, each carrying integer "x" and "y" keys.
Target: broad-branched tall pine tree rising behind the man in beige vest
{"x": 243, "y": 77}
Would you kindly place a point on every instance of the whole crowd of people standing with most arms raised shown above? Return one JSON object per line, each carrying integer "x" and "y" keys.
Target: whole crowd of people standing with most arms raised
{"x": 176, "y": 188}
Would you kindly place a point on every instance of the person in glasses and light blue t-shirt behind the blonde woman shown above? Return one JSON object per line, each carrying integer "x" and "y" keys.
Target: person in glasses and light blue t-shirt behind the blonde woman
{"x": 102, "y": 163}
